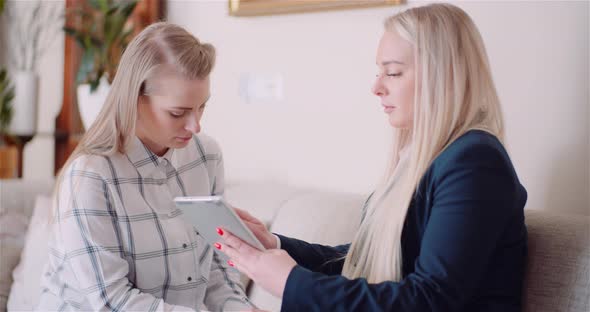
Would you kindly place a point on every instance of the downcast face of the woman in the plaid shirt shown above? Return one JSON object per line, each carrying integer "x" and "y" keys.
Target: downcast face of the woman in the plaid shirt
{"x": 171, "y": 113}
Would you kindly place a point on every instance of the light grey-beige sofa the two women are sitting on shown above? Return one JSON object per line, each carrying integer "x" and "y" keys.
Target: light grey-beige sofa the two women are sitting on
{"x": 558, "y": 269}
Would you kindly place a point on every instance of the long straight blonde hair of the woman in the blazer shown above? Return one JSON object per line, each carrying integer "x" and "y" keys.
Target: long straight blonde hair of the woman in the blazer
{"x": 454, "y": 93}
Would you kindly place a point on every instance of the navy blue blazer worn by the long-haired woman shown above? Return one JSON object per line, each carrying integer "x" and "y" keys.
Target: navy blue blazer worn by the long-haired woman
{"x": 464, "y": 243}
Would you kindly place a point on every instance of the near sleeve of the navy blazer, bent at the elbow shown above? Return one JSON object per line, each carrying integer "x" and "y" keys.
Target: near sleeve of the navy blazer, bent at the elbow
{"x": 473, "y": 195}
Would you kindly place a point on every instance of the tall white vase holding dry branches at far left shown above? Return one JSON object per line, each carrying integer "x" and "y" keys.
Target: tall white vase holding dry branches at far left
{"x": 26, "y": 89}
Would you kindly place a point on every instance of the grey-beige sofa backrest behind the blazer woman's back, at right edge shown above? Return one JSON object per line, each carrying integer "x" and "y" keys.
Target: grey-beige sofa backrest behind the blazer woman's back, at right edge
{"x": 558, "y": 268}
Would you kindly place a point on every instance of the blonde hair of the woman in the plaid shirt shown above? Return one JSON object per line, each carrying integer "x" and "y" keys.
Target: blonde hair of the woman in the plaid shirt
{"x": 159, "y": 47}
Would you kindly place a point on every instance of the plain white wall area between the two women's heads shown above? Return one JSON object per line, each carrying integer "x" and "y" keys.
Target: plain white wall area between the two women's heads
{"x": 329, "y": 131}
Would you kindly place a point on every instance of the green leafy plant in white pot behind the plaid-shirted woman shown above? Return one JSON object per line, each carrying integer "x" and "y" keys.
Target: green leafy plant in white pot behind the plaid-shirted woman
{"x": 103, "y": 30}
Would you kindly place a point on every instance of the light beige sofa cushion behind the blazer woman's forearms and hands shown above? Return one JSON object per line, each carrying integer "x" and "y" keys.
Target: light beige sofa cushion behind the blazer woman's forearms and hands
{"x": 317, "y": 217}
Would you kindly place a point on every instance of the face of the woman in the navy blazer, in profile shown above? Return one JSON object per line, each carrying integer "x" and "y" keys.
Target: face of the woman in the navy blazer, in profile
{"x": 396, "y": 79}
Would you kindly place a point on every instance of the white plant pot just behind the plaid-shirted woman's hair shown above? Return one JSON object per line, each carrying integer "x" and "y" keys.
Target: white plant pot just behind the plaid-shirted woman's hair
{"x": 89, "y": 103}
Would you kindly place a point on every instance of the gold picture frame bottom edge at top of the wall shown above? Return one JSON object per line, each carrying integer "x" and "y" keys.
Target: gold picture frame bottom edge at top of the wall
{"x": 272, "y": 7}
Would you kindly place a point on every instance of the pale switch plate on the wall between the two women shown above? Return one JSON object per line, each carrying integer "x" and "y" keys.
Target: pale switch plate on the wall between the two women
{"x": 261, "y": 87}
